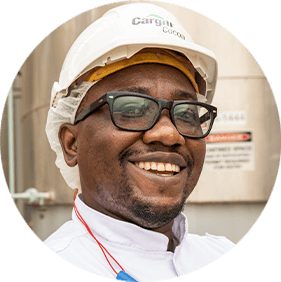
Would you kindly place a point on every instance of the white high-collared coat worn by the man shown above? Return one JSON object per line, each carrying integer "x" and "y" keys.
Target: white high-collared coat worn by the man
{"x": 142, "y": 253}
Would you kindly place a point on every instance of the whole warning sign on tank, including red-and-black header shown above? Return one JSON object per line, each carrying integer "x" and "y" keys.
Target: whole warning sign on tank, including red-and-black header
{"x": 230, "y": 151}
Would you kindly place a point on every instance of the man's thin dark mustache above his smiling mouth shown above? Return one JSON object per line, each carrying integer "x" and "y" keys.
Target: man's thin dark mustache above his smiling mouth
{"x": 127, "y": 153}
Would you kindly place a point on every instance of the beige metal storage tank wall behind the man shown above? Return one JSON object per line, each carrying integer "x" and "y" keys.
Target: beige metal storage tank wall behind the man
{"x": 243, "y": 154}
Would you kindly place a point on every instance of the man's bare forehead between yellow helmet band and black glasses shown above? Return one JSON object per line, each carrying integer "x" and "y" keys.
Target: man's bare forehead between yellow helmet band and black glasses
{"x": 160, "y": 81}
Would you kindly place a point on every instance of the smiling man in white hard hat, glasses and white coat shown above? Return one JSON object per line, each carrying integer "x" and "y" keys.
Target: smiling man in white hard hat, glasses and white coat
{"x": 128, "y": 122}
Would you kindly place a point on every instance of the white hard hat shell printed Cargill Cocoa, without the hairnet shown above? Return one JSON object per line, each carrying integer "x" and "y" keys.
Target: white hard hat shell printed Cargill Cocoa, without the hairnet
{"x": 123, "y": 31}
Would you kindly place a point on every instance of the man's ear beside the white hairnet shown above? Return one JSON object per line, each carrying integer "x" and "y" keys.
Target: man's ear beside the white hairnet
{"x": 68, "y": 134}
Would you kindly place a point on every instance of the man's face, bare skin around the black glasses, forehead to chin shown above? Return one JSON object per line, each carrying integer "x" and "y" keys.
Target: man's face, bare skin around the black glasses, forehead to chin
{"x": 111, "y": 181}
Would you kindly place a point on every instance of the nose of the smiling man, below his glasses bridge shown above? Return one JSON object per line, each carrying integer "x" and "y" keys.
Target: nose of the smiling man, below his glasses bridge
{"x": 164, "y": 131}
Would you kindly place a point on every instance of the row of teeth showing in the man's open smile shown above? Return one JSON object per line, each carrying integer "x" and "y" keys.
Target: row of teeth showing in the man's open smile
{"x": 159, "y": 168}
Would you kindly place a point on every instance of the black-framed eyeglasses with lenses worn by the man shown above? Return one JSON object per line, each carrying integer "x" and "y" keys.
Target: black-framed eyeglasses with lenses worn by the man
{"x": 139, "y": 112}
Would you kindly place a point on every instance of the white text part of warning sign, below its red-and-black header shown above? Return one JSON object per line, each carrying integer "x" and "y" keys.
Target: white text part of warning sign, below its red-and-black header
{"x": 230, "y": 156}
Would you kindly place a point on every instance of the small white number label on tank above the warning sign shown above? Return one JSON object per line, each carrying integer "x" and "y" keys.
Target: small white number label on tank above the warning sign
{"x": 231, "y": 118}
